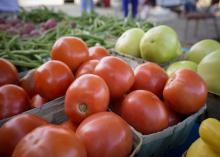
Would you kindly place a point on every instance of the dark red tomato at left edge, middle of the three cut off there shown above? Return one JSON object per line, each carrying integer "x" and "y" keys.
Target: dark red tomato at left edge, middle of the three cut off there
{"x": 13, "y": 100}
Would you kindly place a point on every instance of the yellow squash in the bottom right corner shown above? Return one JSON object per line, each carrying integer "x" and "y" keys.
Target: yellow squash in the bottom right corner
{"x": 208, "y": 144}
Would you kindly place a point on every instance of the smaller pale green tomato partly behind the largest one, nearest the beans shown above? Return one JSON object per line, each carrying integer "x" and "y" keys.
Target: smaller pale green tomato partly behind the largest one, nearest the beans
{"x": 129, "y": 42}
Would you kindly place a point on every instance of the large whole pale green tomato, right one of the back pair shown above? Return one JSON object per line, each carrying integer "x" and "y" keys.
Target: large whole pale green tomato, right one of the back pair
{"x": 159, "y": 44}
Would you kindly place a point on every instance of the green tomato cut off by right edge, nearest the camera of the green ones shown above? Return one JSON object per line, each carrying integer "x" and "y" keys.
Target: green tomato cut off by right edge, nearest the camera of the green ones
{"x": 209, "y": 70}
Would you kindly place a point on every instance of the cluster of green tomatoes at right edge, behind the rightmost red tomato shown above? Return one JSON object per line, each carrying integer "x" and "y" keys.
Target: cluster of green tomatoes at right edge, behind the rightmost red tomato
{"x": 204, "y": 58}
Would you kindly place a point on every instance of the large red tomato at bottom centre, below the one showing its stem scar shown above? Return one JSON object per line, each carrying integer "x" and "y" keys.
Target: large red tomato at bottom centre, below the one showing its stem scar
{"x": 105, "y": 134}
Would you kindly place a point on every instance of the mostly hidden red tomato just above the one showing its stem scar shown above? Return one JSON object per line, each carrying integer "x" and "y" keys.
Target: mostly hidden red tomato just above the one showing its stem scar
{"x": 87, "y": 67}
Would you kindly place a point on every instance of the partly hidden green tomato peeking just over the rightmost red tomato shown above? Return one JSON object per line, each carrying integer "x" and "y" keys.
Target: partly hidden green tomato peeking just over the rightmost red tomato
{"x": 181, "y": 65}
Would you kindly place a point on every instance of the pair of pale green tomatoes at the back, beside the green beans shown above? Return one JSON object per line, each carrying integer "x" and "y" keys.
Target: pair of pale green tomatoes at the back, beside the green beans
{"x": 160, "y": 44}
